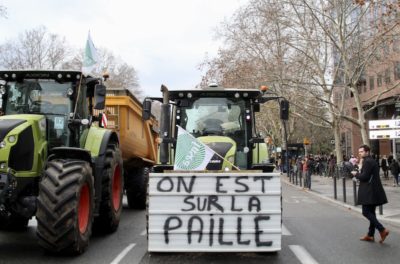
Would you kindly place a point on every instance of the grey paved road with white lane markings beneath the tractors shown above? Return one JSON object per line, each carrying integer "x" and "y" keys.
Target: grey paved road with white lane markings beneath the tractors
{"x": 315, "y": 231}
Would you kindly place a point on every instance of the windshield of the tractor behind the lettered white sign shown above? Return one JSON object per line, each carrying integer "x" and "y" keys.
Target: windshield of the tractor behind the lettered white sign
{"x": 214, "y": 116}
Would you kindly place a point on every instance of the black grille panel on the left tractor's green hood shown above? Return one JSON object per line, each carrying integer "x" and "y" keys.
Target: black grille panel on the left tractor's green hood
{"x": 21, "y": 154}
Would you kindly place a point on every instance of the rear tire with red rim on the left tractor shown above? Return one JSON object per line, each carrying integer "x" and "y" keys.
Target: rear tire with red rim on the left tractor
{"x": 112, "y": 192}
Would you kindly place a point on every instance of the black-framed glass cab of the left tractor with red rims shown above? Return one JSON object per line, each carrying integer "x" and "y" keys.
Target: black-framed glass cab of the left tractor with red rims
{"x": 60, "y": 96}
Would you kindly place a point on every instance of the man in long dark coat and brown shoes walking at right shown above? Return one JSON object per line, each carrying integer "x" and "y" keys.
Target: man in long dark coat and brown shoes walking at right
{"x": 370, "y": 193}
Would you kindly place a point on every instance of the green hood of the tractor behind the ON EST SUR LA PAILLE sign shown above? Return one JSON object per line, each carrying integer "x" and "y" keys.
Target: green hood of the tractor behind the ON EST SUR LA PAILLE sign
{"x": 225, "y": 147}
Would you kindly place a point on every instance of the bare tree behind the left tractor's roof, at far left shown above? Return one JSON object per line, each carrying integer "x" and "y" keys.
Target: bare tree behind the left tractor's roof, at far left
{"x": 35, "y": 49}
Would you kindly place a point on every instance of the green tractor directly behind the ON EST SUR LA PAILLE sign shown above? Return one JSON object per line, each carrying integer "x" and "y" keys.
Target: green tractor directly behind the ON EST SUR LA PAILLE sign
{"x": 223, "y": 119}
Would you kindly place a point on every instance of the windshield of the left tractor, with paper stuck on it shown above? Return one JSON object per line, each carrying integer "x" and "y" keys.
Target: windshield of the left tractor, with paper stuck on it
{"x": 46, "y": 97}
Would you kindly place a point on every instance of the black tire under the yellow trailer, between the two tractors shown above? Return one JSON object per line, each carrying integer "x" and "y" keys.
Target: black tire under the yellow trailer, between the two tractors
{"x": 136, "y": 187}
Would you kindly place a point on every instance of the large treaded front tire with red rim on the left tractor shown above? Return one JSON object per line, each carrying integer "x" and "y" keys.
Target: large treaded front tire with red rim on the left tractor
{"x": 65, "y": 206}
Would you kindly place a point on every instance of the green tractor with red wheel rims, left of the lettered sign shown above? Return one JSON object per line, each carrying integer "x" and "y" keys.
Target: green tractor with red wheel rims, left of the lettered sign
{"x": 55, "y": 164}
